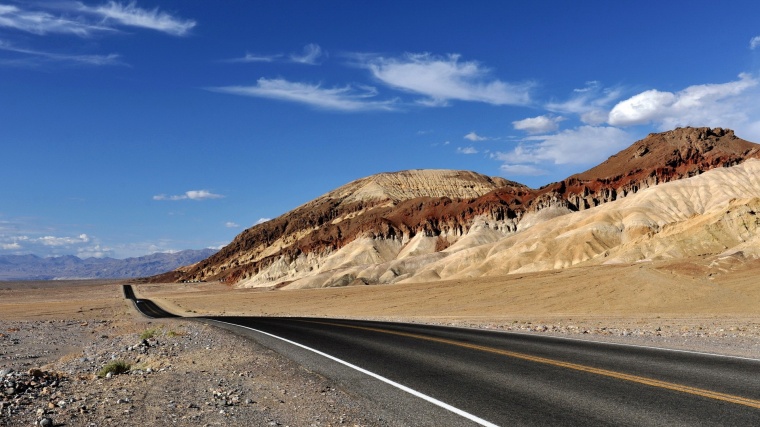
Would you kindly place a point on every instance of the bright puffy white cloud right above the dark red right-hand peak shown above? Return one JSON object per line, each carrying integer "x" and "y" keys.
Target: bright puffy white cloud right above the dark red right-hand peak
{"x": 724, "y": 105}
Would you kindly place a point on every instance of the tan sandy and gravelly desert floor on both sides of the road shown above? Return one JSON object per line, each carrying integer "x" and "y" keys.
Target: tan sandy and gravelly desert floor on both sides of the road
{"x": 56, "y": 338}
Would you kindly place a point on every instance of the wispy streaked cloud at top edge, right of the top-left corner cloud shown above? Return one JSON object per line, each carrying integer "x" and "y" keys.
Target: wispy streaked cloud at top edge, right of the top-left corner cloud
{"x": 133, "y": 16}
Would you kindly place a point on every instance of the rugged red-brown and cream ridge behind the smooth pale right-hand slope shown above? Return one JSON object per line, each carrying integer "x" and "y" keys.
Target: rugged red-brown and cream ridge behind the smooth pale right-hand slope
{"x": 418, "y": 218}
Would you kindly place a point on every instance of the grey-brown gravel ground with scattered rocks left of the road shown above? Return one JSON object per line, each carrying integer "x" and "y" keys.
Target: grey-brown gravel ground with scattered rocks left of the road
{"x": 181, "y": 373}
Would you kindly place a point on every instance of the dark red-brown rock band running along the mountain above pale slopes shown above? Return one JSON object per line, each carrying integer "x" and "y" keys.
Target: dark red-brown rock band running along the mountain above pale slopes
{"x": 328, "y": 224}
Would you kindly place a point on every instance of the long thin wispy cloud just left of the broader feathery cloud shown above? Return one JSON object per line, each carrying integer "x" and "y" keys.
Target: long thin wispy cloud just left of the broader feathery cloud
{"x": 341, "y": 99}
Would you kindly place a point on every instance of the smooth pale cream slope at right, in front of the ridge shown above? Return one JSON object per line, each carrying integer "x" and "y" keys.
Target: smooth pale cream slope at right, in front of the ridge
{"x": 705, "y": 215}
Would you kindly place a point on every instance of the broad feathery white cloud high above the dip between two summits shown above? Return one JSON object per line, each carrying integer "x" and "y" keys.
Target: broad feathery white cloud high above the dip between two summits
{"x": 442, "y": 79}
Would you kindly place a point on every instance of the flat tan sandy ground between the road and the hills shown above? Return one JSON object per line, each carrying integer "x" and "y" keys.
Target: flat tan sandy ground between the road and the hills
{"x": 693, "y": 304}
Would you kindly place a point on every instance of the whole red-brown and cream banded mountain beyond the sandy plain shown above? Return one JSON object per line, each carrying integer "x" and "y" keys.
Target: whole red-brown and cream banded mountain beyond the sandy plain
{"x": 430, "y": 225}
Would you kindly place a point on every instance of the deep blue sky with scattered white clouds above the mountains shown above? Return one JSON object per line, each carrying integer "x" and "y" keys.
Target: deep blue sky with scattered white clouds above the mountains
{"x": 128, "y": 128}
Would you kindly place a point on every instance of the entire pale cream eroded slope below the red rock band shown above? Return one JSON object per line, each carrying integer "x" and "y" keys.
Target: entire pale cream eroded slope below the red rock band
{"x": 709, "y": 214}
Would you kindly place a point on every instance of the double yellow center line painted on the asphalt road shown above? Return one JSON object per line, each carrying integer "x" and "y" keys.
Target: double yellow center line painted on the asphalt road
{"x": 568, "y": 365}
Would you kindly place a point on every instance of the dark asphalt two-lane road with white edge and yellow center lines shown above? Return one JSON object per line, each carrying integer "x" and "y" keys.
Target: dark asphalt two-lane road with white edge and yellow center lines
{"x": 495, "y": 378}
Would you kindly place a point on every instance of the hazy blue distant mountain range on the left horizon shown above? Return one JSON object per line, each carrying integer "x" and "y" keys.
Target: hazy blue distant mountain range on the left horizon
{"x": 32, "y": 267}
